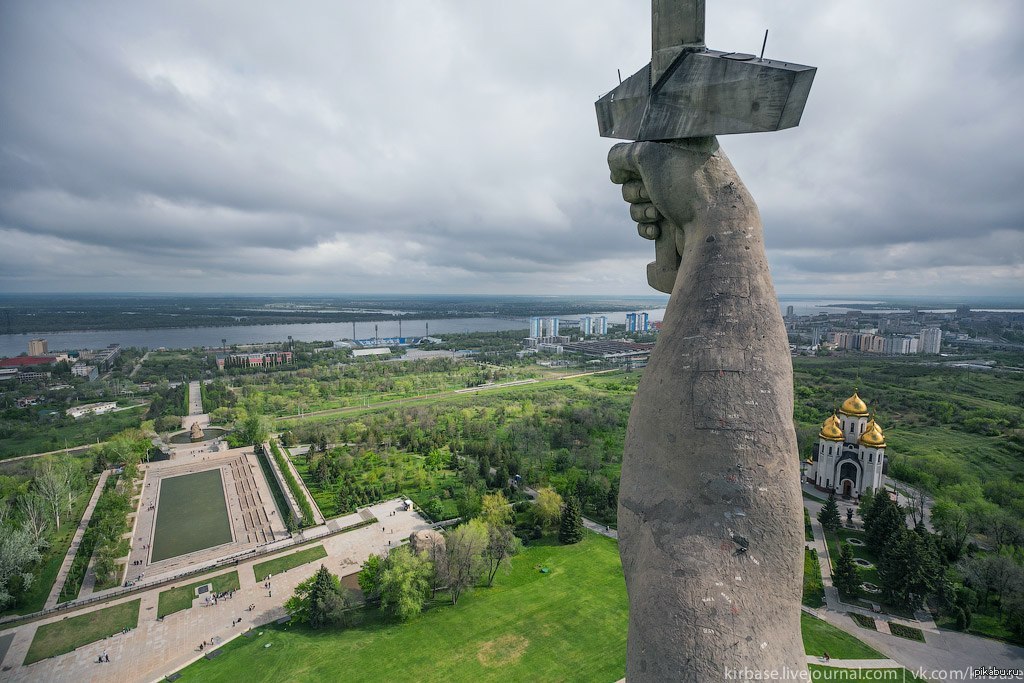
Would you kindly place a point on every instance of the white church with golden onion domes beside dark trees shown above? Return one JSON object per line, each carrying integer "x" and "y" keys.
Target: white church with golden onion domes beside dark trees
{"x": 850, "y": 453}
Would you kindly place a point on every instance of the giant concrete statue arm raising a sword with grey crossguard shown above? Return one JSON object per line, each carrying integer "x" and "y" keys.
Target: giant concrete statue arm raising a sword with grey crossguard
{"x": 710, "y": 511}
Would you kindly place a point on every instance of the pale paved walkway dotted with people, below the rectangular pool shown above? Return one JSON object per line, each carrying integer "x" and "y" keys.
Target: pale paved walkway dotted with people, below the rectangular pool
{"x": 157, "y": 649}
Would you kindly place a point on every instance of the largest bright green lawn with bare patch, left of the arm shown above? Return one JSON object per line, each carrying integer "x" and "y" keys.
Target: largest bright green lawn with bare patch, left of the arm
{"x": 531, "y": 626}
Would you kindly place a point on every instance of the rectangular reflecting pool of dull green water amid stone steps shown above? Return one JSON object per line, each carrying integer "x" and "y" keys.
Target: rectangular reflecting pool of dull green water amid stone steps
{"x": 192, "y": 515}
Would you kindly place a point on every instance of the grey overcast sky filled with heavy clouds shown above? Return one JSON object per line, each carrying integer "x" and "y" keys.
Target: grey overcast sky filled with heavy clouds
{"x": 436, "y": 147}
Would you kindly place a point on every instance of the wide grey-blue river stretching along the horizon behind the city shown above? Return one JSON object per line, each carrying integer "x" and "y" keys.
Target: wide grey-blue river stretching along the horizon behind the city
{"x": 191, "y": 337}
